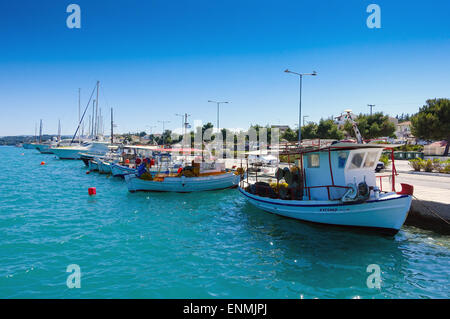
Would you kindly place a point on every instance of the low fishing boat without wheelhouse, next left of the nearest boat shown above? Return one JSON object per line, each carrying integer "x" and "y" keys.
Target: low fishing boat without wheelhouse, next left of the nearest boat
{"x": 200, "y": 177}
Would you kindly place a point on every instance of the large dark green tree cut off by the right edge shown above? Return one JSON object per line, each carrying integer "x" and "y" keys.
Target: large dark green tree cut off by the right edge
{"x": 433, "y": 121}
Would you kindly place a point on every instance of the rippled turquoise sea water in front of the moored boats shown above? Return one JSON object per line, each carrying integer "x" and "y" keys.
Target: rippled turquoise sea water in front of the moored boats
{"x": 205, "y": 245}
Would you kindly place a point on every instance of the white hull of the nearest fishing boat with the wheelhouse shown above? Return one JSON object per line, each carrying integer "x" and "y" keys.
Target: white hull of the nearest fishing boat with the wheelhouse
{"x": 386, "y": 214}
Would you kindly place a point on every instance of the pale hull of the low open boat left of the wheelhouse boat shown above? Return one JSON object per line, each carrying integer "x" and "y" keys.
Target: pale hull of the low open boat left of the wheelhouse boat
{"x": 183, "y": 184}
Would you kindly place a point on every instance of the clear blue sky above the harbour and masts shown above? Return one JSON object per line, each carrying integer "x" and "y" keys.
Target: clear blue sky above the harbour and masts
{"x": 157, "y": 58}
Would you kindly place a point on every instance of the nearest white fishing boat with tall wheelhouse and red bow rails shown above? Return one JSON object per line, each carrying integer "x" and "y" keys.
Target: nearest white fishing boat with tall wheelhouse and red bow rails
{"x": 335, "y": 185}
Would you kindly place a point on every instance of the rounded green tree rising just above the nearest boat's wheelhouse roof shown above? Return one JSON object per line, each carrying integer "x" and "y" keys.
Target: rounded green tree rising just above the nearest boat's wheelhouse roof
{"x": 372, "y": 126}
